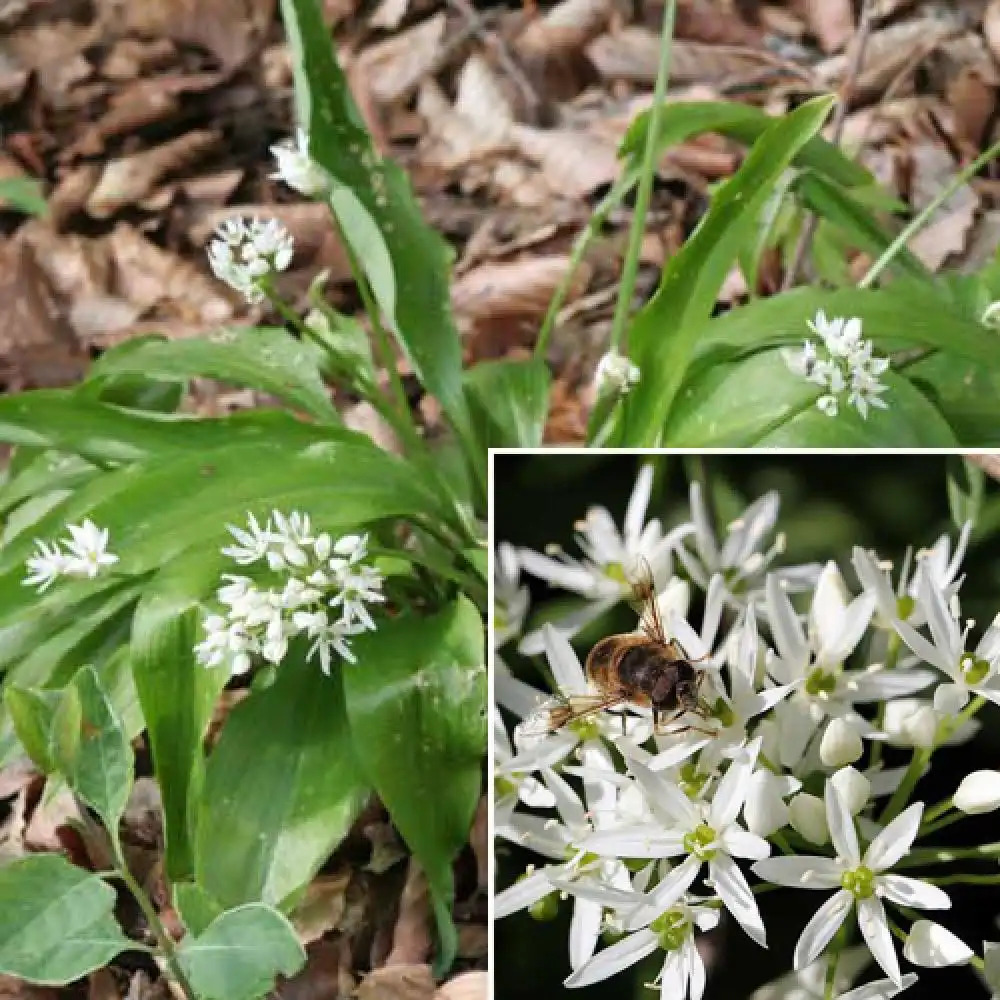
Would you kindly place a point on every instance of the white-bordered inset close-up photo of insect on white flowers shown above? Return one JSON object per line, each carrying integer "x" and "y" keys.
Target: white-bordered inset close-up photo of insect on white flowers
{"x": 746, "y": 739}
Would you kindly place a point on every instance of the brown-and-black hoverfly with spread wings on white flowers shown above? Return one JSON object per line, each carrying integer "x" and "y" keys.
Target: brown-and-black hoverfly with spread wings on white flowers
{"x": 644, "y": 669}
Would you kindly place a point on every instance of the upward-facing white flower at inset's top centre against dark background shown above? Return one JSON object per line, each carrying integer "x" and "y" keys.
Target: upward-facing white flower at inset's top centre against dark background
{"x": 740, "y": 558}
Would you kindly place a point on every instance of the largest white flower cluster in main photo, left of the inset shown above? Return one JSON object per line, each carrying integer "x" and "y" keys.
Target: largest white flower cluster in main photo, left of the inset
{"x": 317, "y": 586}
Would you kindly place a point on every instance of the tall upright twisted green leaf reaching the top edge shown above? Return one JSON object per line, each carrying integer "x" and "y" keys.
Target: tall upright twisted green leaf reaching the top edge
{"x": 405, "y": 259}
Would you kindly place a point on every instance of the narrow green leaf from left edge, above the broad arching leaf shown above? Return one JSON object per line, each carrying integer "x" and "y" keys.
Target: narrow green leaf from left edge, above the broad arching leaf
{"x": 65, "y": 421}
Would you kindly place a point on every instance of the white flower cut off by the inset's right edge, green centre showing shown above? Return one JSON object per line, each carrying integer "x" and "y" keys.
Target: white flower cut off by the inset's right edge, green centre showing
{"x": 974, "y": 672}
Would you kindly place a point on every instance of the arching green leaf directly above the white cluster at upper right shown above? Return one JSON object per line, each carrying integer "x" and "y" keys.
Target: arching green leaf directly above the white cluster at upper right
{"x": 904, "y": 315}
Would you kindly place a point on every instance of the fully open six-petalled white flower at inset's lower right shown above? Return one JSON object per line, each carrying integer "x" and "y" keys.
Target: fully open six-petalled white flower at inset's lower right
{"x": 861, "y": 881}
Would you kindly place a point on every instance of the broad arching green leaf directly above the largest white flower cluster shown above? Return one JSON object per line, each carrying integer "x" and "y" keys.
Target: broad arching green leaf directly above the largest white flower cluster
{"x": 157, "y": 511}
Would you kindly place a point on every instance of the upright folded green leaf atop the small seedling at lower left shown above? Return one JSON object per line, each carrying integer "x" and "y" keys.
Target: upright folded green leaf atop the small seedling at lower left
{"x": 100, "y": 768}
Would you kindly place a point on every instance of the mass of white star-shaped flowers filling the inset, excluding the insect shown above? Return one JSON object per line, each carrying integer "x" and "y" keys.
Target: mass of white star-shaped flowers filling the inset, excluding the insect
{"x": 655, "y": 832}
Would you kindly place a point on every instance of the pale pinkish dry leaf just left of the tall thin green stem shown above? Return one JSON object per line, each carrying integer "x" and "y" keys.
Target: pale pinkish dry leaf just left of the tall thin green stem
{"x": 574, "y": 163}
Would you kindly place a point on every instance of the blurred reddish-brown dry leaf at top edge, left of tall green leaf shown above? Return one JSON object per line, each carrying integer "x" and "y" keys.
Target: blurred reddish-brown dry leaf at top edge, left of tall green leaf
{"x": 229, "y": 29}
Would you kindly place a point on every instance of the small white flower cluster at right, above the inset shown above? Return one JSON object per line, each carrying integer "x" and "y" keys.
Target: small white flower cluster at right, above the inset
{"x": 843, "y": 362}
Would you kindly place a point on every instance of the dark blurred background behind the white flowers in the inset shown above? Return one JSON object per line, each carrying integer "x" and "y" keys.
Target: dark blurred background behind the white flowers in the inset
{"x": 829, "y": 504}
